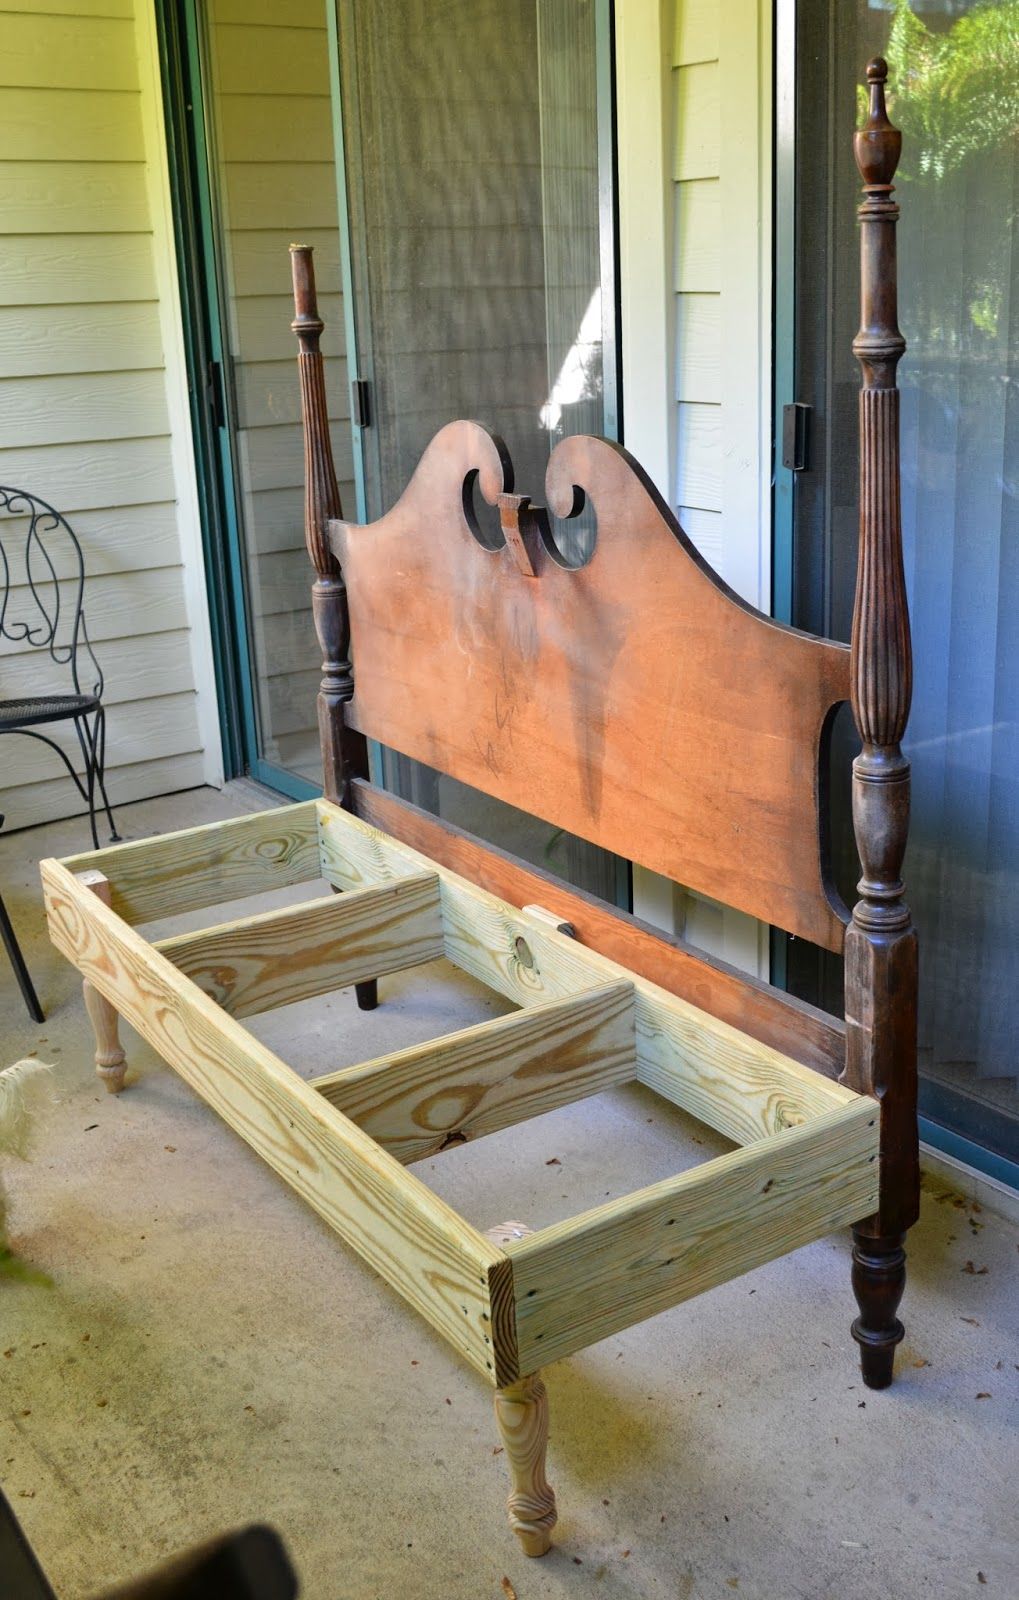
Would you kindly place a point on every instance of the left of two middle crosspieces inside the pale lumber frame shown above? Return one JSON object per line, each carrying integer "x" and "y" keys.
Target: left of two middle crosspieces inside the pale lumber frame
{"x": 297, "y": 953}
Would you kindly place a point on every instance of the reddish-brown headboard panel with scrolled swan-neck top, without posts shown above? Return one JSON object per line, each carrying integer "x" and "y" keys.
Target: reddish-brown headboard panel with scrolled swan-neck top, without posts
{"x": 636, "y": 700}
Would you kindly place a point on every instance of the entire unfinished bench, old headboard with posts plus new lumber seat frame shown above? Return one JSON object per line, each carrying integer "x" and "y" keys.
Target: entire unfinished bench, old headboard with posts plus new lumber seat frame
{"x": 602, "y": 1001}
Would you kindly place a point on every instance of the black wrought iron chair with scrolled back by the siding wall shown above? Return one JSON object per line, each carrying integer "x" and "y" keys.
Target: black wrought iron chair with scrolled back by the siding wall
{"x": 50, "y": 577}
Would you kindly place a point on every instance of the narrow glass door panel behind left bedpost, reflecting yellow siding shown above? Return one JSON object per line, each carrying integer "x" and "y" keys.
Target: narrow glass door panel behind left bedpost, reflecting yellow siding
{"x": 273, "y": 180}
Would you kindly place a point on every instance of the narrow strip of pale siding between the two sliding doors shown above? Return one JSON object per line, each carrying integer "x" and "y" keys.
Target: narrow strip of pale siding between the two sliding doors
{"x": 721, "y": 294}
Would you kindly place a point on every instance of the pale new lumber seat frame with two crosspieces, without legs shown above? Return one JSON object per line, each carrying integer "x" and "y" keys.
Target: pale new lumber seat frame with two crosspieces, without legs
{"x": 809, "y": 1159}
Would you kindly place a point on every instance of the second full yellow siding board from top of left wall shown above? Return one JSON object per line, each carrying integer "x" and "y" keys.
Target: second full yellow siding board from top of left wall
{"x": 42, "y": 126}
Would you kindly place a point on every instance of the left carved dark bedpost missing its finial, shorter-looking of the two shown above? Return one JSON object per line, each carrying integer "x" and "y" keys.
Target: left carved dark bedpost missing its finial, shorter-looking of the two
{"x": 345, "y": 754}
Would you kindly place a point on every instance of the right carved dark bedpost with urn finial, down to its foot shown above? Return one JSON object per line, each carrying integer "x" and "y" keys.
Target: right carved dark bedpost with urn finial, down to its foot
{"x": 882, "y": 942}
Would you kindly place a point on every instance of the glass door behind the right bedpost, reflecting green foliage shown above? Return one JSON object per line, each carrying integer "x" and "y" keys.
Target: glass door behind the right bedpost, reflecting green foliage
{"x": 954, "y": 79}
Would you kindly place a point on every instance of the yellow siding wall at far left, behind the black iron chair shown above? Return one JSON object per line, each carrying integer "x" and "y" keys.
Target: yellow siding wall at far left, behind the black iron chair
{"x": 84, "y": 410}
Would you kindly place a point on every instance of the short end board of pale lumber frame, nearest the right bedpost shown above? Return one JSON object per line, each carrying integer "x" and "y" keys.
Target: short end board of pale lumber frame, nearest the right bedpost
{"x": 628, "y": 1260}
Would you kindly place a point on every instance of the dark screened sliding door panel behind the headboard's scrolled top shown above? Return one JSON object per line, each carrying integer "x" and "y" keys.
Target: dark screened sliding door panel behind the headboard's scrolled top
{"x": 481, "y": 209}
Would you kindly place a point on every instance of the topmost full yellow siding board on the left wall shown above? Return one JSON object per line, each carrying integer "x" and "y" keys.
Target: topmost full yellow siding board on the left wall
{"x": 68, "y": 52}
